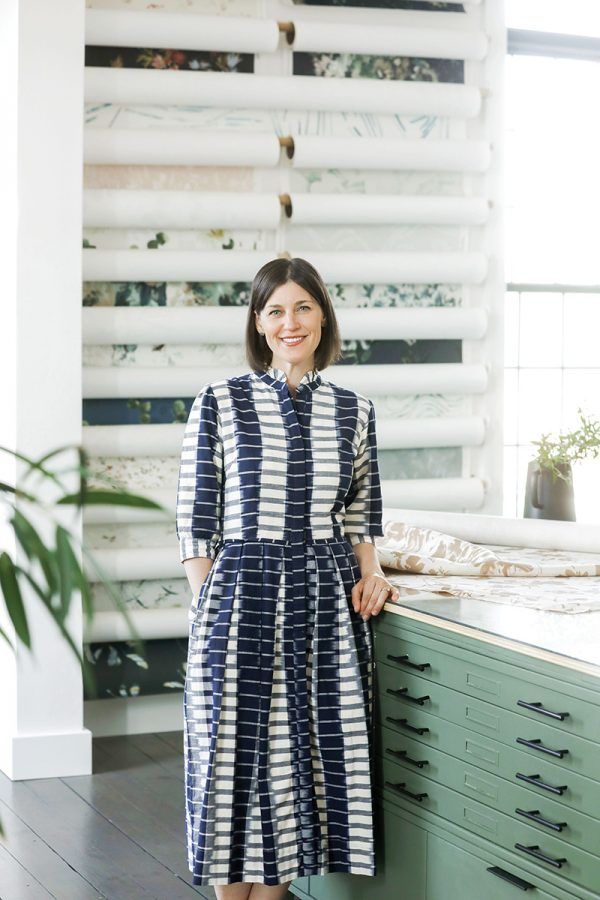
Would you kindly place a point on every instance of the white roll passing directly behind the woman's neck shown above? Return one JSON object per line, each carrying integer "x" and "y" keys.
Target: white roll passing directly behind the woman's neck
{"x": 425, "y": 378}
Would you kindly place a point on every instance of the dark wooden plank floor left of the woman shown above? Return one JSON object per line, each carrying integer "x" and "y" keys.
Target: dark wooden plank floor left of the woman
{"x": 117, "y": 834}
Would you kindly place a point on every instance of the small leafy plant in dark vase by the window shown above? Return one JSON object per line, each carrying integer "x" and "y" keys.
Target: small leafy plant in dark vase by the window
{"x": 549, "y": 488}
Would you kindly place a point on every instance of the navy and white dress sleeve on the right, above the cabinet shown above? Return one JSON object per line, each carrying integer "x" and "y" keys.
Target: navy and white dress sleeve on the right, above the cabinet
{"x": 364, "y": 508}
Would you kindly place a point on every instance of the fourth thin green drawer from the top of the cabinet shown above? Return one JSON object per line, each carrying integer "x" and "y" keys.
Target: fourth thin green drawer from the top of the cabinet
{"x": 571, "y": 826}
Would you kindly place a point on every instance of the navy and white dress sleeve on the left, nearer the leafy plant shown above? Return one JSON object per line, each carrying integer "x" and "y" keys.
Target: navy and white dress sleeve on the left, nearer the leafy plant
{"x": 199, "y": 507}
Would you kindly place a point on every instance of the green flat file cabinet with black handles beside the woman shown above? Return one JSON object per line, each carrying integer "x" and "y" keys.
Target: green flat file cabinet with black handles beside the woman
{"x": 487, "y": 773}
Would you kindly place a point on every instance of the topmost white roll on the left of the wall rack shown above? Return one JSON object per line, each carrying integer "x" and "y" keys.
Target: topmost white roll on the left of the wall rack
{"x": 183, "y": 31}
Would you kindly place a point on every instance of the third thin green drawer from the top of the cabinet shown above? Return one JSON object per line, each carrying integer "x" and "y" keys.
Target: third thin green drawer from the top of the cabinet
{"x": 486, "y": 753}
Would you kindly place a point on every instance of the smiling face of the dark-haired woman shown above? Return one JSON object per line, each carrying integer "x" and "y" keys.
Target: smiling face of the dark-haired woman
{"x": 291, "y": 313}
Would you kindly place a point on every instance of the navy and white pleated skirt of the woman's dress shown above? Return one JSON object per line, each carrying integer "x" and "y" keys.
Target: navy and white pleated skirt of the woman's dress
{"x": 278, "y": 705}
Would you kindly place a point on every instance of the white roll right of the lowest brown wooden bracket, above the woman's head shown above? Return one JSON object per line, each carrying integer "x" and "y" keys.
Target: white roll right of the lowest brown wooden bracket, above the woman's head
{"x": 383, "y": 209}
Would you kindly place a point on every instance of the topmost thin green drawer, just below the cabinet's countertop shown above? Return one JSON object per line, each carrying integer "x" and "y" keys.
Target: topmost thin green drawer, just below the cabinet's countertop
{"x": 499, "y": 683}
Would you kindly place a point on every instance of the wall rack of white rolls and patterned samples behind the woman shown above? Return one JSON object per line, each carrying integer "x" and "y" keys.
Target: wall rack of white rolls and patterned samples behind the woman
{"x": 376, "y": 180}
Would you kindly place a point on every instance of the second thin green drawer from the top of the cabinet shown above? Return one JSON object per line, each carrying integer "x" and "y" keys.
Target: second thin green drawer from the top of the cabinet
{"x": 581, "y": 756}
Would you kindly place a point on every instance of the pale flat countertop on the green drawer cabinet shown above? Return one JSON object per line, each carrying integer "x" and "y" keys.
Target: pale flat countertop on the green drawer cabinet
{"x": 571, "y": 640}
